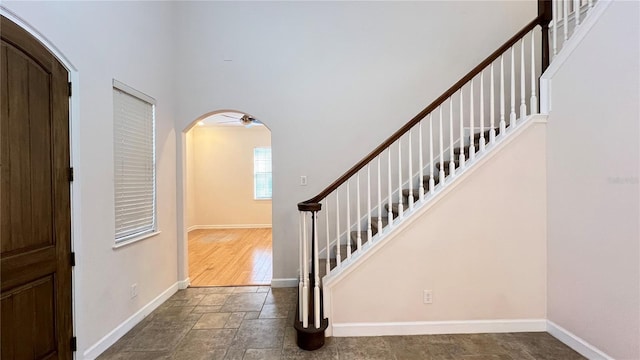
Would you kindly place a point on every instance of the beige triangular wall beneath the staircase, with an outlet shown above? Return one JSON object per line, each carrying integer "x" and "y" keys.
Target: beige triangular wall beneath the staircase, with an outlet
{"x": 481, "y": 249}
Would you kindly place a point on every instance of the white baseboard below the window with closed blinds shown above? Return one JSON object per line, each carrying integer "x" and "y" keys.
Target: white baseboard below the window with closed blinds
{"x": 103, "y": 344}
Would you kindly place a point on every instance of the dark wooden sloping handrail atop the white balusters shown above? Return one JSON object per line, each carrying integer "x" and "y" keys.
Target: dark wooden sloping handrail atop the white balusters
{"x": 539, "y": 20}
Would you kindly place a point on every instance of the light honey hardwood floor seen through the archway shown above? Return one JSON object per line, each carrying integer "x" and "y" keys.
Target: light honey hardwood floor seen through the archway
{"x": 230, "y": 257}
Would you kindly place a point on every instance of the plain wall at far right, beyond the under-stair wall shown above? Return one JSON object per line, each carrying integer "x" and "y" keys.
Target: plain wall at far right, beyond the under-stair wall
{"x": 594, "y": 206}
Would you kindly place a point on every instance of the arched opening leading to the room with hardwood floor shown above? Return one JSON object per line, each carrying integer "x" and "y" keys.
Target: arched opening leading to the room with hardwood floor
{"x": 228, "y": 200}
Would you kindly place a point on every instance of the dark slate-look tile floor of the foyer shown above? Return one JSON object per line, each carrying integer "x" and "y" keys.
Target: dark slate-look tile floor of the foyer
{"x": 255, "y": 322}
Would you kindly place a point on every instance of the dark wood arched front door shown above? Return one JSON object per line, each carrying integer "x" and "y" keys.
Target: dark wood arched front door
{"x": 35, "y": 269}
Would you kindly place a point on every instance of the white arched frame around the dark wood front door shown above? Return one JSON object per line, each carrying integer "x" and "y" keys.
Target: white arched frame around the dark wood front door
{"x": 74, "y": 131}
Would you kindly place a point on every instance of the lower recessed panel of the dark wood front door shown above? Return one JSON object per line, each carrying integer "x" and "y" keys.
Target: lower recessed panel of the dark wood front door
{"x": 27, "y": 312}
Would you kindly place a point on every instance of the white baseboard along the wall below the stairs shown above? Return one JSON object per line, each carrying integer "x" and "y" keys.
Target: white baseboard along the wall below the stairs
{"x": 438, "y": 327}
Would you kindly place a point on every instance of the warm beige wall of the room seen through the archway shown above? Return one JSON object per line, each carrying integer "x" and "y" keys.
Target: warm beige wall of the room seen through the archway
{"x": 222, "y": 176}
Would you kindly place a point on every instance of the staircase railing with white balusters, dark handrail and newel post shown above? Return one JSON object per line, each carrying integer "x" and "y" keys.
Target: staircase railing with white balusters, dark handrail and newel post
{"x": 413, "y": 166}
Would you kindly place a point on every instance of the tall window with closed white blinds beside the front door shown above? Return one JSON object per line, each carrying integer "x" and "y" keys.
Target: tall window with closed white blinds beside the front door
{"x": 135, "y": 163}
